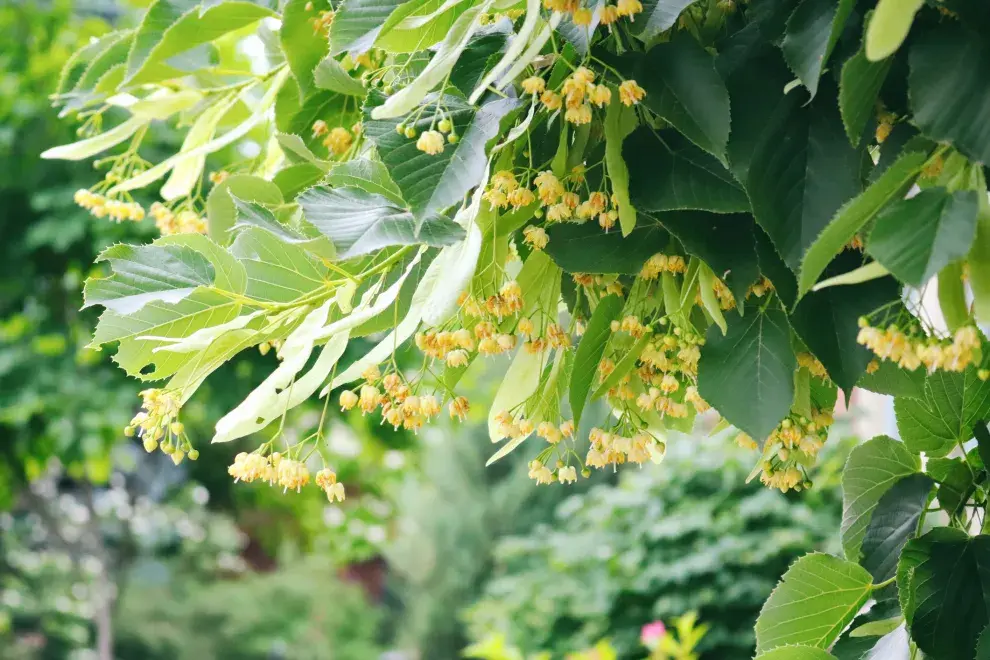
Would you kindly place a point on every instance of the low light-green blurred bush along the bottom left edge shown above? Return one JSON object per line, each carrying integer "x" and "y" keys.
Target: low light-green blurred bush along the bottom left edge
{"x": 300, "y": 612}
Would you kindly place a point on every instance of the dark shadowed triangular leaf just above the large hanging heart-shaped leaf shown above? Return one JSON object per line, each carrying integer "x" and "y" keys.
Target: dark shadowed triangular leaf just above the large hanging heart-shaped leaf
{"x": 723, "y": 241}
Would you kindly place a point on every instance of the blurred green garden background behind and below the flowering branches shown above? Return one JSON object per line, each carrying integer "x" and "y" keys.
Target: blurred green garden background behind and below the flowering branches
{"x": 107, "y": 552}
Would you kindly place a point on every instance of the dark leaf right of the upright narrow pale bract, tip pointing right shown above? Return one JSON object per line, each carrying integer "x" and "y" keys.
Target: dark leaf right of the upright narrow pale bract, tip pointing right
{"x": 668, "y": 173}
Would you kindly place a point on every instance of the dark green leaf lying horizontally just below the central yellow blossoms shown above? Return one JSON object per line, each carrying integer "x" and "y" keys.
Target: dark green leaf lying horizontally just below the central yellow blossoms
{"x": 586, "y": 248}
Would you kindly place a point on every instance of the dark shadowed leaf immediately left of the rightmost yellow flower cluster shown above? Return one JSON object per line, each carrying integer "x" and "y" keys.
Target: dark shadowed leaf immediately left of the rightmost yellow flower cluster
{"x": 827, "y": 321}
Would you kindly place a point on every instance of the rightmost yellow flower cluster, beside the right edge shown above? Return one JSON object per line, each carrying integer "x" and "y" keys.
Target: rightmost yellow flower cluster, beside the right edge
{"x": 911, "y": 351}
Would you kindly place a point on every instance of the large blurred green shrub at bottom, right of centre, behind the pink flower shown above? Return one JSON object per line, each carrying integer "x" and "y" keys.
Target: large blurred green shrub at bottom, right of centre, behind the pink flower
{"x": 688, "y": 535}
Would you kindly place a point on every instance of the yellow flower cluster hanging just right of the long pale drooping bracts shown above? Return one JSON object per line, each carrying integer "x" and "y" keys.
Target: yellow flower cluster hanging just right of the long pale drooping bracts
{"x": 399, "y": 406}
